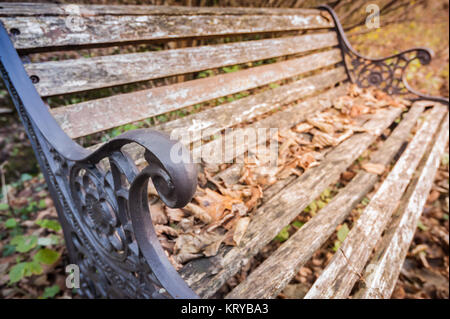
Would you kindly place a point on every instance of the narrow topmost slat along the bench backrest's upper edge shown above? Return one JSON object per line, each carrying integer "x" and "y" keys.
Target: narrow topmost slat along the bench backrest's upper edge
{"x": 38, "y": 9}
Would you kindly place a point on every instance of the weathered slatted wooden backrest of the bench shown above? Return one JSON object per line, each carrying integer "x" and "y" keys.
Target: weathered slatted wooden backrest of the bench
{"x": 178, "y": 57}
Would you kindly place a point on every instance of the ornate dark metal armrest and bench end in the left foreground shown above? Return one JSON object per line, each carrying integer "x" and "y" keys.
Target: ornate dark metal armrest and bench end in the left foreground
{"x": 101, "y": 197}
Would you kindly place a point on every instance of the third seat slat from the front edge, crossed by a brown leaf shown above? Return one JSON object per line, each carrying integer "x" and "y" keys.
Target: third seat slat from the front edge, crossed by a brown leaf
{"x": 276, "y": 272}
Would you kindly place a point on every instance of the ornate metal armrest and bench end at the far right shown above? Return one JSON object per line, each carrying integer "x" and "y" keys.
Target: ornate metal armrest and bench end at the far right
{"x": 388, "y": 73}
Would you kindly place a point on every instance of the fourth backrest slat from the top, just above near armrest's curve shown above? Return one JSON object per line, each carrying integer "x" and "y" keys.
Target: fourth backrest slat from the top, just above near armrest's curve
{"x": 101, "y": 114}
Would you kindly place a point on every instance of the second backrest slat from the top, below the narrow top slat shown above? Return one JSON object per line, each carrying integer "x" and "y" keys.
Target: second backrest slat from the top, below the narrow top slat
{"x": 59, "y": 31}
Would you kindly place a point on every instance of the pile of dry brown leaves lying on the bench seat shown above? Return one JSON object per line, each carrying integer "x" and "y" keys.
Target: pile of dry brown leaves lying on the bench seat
{"x": 220, "y": 212}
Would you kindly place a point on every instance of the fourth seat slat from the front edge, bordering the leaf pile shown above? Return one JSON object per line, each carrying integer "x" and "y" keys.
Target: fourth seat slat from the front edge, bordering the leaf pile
{"x": 207, "y": 275}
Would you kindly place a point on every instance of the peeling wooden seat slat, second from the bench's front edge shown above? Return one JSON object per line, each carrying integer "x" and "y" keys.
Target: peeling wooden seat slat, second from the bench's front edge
{"x": 344, "y": 269}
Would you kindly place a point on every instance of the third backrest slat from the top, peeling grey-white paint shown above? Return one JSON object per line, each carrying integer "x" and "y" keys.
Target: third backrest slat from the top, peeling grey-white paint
{"x": 61, "y": 77}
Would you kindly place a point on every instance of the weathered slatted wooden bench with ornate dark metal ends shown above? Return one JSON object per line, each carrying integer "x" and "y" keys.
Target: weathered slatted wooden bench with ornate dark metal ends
{"x": 295, "y": 63}
